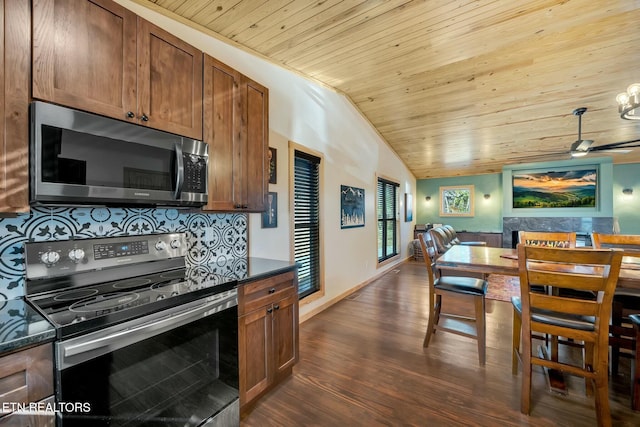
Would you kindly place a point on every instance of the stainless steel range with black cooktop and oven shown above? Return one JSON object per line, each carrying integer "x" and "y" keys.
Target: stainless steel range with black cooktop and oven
{"x": 142, "y": 340}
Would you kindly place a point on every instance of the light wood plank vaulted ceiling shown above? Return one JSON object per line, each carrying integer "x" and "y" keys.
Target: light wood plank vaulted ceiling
{"x": 456, "y": 87}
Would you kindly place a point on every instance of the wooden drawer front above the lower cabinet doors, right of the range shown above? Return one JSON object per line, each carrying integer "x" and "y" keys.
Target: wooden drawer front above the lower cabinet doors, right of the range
{"x": 254, "y": 295}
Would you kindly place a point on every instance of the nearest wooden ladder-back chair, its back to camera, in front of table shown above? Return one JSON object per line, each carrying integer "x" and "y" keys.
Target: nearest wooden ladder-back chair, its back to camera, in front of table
{"x": 580, "y": 319}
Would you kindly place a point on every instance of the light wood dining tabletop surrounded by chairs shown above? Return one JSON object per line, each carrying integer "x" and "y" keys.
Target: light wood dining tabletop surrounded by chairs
{"x": 491, "y": 260}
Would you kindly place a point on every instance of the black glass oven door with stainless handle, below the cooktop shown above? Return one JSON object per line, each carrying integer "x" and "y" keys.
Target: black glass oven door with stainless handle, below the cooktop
{"x": 178, "y": 367}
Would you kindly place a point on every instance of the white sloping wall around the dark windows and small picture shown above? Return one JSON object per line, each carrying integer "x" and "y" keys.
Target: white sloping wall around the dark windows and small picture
{"x": 353, "y": 154}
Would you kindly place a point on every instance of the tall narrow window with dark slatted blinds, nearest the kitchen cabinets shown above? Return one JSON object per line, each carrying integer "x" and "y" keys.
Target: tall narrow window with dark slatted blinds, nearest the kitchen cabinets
{"x": 306, "y": 218}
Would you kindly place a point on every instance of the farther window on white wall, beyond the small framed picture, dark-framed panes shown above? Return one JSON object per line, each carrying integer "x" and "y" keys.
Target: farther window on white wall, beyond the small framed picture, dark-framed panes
{"x": 387, "y": 219}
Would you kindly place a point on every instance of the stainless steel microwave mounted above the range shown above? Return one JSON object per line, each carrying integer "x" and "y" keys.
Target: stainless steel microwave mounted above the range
{"x": 82, "y": 158}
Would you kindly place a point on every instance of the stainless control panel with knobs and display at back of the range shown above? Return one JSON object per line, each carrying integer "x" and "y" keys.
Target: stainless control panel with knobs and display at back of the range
{"x": 53, "y": 258}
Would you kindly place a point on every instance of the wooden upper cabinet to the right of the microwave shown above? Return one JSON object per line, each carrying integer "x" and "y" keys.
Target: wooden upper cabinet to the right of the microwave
{"x": 236, "y": 127}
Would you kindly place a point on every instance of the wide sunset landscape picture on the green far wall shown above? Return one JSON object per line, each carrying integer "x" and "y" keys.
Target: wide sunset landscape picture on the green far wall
{"x": 555, "y": 189}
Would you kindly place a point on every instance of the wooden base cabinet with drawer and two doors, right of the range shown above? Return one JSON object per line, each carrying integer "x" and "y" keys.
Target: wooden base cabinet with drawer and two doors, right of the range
{"x": 268, "y": 334}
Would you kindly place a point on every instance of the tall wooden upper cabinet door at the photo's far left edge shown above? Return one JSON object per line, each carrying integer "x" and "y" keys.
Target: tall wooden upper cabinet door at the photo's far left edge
{"x": 14, "y": 108}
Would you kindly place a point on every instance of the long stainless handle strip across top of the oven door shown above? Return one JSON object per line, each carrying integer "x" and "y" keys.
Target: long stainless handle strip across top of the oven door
{"x": 77, "y": 350}
